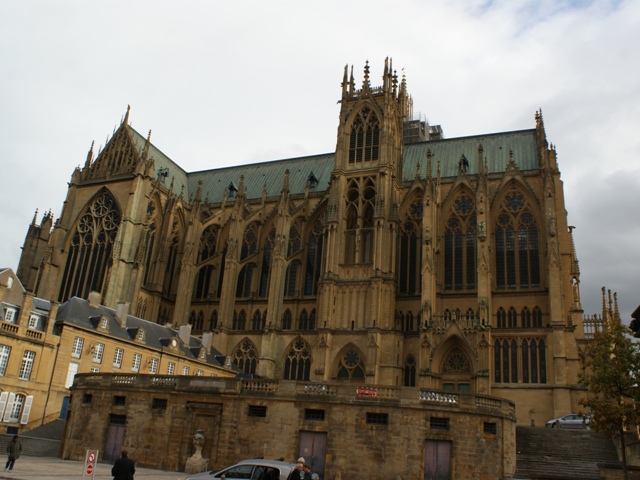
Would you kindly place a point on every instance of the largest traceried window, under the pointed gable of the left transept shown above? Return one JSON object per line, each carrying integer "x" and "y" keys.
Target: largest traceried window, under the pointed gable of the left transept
{"x": 90, "y": 249}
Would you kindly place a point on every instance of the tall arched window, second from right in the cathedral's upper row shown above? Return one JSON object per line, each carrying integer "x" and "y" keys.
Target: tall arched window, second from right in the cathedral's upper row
{"x": 460, "y": 245}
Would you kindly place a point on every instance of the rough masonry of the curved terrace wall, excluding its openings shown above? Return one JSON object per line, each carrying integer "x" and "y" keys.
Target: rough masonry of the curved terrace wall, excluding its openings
{"x": 355, "y": 449}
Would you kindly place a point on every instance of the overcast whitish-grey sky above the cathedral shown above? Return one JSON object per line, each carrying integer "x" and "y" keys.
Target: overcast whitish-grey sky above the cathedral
{"x": 236, "y": 82}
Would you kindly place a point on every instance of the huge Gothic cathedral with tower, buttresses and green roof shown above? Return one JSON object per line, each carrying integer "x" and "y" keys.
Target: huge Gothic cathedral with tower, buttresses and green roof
{"x": 402, "y": 258}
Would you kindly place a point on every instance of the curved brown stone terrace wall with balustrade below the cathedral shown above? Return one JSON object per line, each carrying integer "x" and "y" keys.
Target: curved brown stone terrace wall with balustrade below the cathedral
{"x": 371, "y": 432}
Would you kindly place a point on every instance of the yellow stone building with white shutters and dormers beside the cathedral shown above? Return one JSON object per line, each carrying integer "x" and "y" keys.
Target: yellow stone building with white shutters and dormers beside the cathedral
{"x": 43, "y": 345}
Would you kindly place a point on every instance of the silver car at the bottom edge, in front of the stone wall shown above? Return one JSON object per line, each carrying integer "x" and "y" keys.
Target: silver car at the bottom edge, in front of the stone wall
{"x": 251, "y": 469}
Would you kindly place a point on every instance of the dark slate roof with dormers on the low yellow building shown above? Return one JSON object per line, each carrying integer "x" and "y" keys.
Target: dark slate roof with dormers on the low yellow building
{"x": 78, "y": 312}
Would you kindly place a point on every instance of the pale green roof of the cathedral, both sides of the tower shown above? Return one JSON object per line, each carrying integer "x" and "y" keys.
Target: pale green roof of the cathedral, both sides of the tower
{"x": 270, "y": 174}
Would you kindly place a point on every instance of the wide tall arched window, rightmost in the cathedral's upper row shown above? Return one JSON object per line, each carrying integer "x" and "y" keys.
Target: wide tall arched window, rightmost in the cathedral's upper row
{"x": 517, "y": 249}
